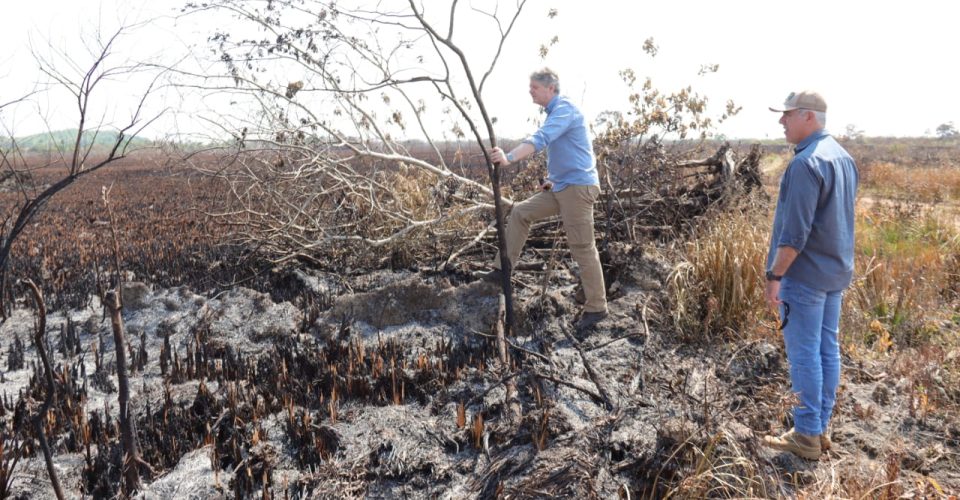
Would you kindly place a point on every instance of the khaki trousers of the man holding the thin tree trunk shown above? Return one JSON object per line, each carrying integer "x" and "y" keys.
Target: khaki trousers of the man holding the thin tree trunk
{"x": 575, "y": 206}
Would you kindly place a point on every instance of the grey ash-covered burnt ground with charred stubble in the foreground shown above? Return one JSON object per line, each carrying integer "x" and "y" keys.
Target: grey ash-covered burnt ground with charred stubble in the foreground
{"x": 389, "y": 385}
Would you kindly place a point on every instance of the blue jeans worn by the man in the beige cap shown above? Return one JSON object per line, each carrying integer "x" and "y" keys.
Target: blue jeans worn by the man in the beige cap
{"x": 811, "y": 338}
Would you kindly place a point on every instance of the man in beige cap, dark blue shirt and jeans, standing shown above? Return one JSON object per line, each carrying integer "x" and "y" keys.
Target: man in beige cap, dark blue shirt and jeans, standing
{"x": 809, "y": 264}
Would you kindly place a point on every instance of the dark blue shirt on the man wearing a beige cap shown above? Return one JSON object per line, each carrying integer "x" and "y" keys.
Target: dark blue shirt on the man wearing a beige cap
{"x": 815, "y": 213}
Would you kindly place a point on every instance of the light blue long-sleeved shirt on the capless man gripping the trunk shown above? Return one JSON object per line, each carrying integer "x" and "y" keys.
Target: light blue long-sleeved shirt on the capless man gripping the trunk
{"x": 570, "y": 159}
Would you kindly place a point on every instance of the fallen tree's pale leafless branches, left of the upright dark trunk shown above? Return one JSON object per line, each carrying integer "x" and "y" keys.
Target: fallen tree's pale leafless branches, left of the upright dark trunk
{"x": 339, "y": 151}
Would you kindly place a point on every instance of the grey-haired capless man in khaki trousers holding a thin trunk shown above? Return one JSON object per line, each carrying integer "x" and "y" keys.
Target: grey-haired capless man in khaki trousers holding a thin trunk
{"x": 570, "y": 190}
